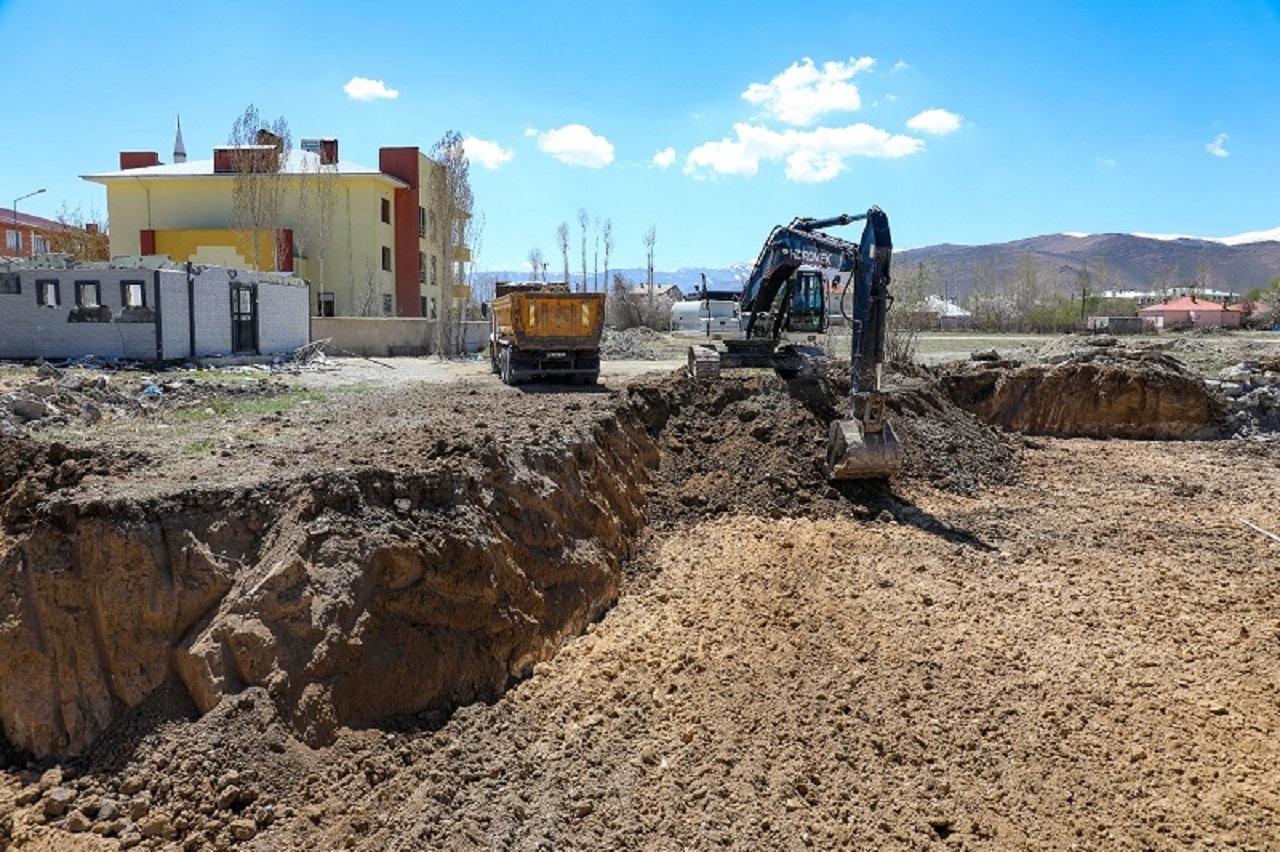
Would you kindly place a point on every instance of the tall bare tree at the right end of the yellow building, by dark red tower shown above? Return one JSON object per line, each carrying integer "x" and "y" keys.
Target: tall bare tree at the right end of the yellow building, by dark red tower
{"x": 450, "y": 193}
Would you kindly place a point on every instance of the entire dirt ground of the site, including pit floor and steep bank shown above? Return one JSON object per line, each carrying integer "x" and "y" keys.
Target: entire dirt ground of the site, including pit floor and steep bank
{"x": 446, "y": 613}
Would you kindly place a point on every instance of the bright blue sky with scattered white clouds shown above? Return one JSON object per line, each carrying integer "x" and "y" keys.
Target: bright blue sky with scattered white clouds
{"x": 711, "y": 122}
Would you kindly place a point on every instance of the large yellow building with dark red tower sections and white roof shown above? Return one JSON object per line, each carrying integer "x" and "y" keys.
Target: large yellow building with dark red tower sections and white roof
{"x": 359, "y": 236}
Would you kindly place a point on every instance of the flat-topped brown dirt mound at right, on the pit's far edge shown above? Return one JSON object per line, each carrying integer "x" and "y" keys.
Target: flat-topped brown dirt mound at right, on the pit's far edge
{"x": 1091, "y": 393}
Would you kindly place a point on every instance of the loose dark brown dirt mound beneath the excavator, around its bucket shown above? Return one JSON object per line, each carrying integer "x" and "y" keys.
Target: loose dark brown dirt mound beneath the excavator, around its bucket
{"x": 755, "y": 443}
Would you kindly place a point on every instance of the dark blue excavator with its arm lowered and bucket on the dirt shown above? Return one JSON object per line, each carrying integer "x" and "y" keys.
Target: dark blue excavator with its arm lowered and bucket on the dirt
{"x": 787, "y": 292}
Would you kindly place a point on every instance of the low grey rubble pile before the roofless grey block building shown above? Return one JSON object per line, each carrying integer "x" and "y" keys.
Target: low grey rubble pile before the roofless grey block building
{"x": 62, "y": 397}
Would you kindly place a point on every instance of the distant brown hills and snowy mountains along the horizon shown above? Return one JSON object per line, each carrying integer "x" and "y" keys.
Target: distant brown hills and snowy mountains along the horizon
{"x": 1112, "y": 262}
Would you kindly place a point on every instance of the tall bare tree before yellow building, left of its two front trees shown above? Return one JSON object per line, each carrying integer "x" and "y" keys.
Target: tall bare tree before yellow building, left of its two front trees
{"x": 259, "y": 154}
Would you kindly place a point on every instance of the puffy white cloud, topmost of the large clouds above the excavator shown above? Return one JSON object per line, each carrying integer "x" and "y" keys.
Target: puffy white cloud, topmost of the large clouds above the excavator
{"x": 803, "y": 93}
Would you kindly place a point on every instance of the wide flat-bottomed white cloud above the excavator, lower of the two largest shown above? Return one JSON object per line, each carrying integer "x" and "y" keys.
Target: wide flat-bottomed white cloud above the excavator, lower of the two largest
{"x": 811, "y": 157}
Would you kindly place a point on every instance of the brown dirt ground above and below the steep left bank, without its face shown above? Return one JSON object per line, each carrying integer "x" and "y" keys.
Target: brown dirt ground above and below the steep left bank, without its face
{"x": 1021, "y": 643}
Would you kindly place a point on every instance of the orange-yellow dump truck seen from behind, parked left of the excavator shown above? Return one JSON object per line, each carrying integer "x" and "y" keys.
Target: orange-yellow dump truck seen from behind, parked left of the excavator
{"x": 543, "y": 331}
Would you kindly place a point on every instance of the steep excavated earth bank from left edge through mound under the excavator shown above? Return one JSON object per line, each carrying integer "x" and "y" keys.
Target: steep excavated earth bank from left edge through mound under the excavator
{"x": 358, "y": 594}
